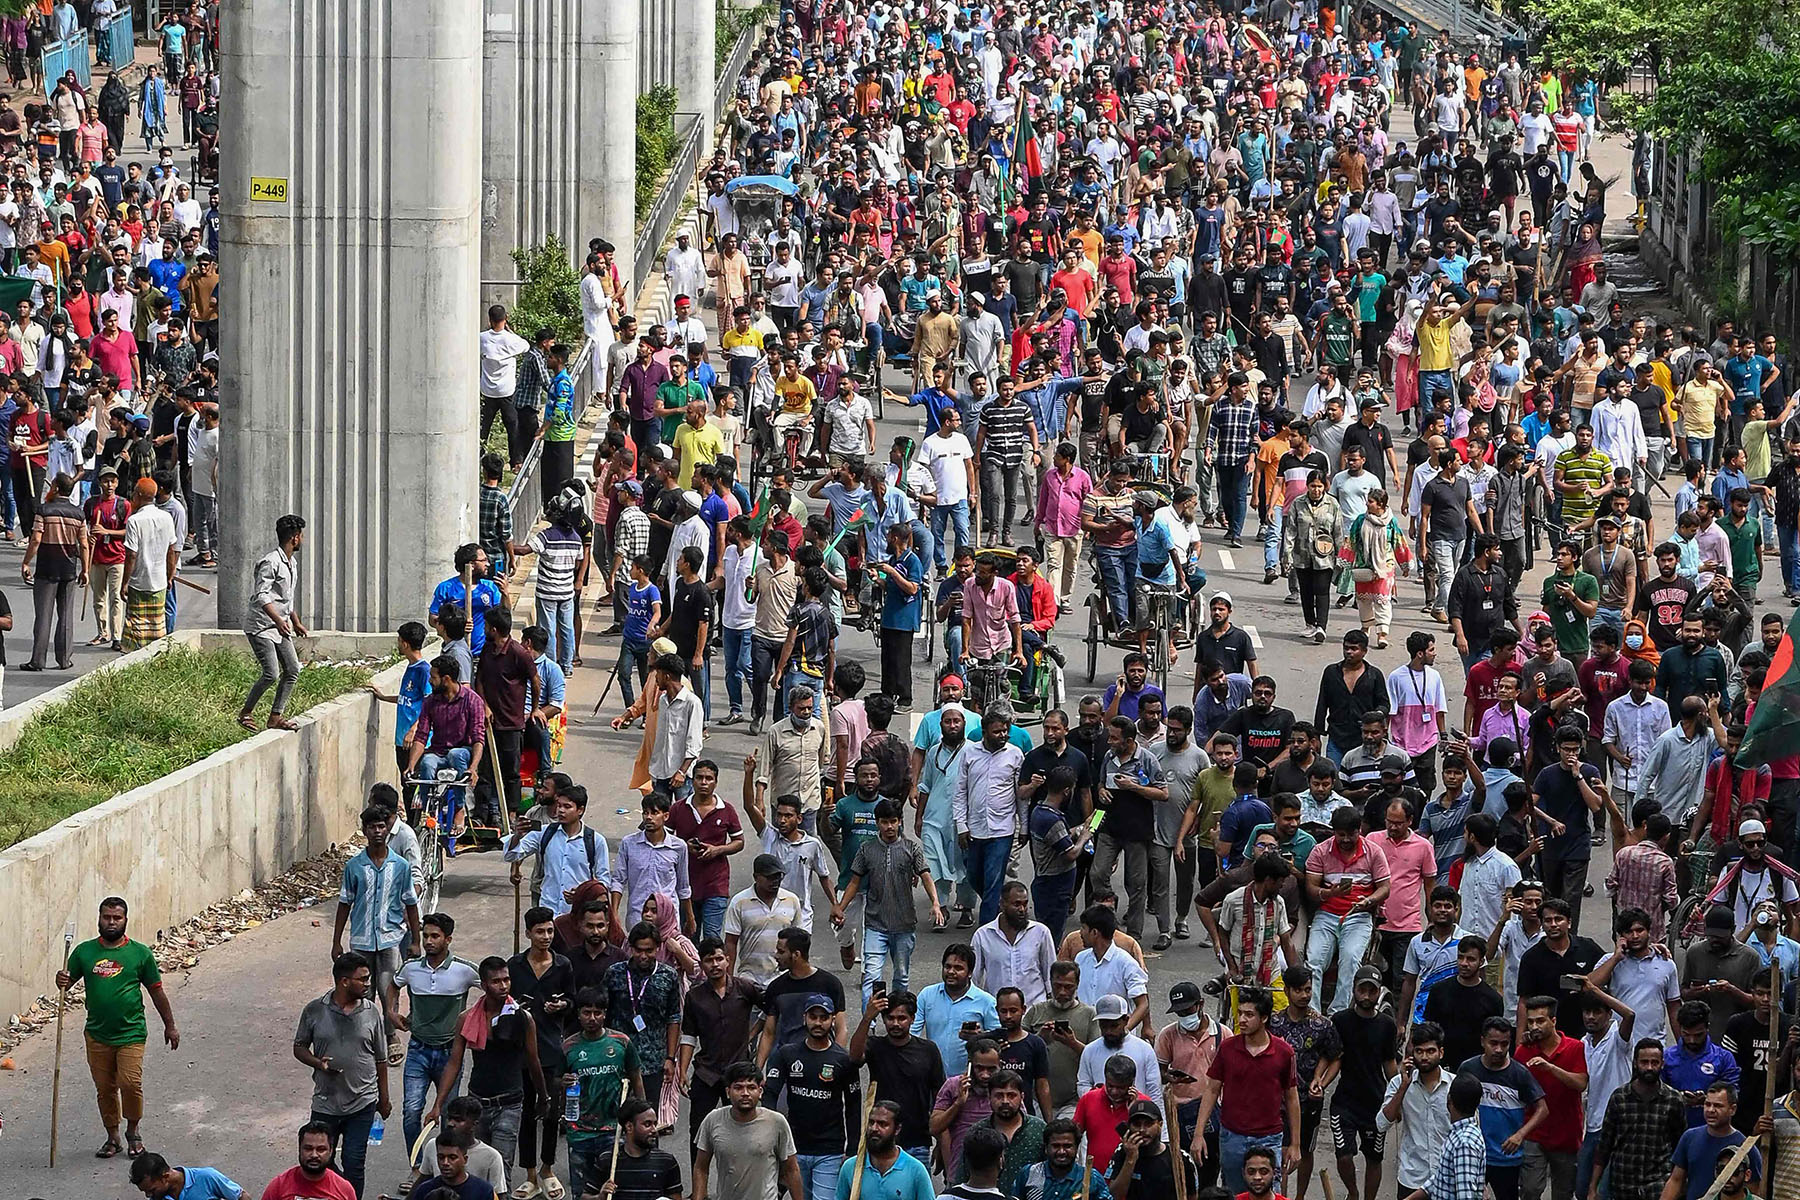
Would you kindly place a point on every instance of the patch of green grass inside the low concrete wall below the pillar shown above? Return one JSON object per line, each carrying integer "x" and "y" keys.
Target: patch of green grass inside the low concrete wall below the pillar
{"x": 123, "y": 730}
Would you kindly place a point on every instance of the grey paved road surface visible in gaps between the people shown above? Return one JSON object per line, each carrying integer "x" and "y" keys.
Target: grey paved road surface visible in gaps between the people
{"x": 233, "y": 1095}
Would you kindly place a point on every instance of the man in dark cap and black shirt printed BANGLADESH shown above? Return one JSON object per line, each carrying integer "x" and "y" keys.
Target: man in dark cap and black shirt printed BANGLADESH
{"x": 825, "y": 1098}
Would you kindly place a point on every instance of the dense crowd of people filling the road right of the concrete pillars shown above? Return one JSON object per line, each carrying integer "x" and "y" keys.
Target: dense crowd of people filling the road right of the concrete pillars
{"x": 1149, "y": 269}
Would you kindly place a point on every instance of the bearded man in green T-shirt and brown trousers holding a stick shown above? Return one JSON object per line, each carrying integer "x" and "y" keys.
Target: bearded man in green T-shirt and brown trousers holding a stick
{"x": 118, "y": 971}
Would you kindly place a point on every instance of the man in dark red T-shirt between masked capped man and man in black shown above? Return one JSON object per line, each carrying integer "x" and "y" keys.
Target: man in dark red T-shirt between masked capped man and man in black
{"x": 1263, "y": 1100}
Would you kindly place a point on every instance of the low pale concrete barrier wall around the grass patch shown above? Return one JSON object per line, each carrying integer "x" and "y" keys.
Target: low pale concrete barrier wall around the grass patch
{"x": 204, "y": 834}
